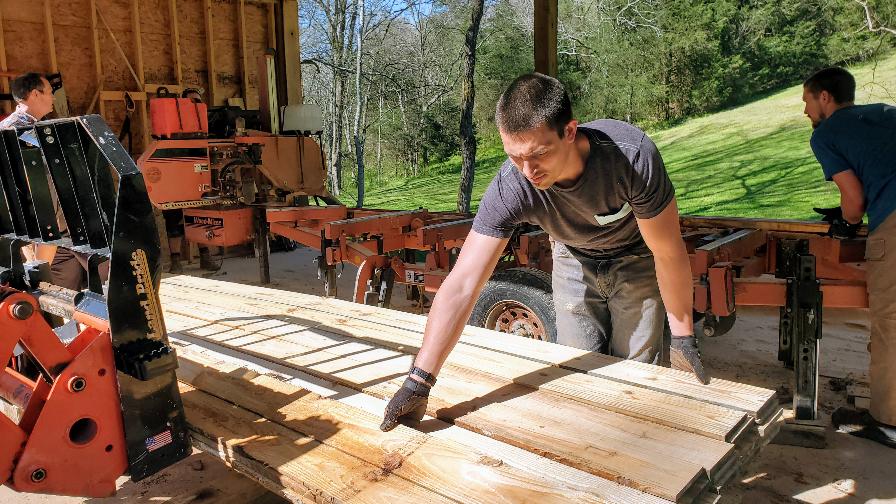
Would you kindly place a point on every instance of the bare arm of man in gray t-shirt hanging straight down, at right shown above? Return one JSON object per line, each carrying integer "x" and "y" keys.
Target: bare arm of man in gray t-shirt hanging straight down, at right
{"x": 673, "y": 269}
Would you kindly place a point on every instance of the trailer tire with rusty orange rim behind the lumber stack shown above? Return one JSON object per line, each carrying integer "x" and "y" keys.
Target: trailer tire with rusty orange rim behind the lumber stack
{"x": 517, "y": 301}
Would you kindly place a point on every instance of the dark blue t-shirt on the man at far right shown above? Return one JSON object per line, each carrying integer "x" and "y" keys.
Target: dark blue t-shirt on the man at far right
{"x": 862, "y": 138}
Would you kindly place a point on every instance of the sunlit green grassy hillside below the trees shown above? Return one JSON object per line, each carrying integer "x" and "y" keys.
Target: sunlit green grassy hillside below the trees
{"x": 750, "y": 161}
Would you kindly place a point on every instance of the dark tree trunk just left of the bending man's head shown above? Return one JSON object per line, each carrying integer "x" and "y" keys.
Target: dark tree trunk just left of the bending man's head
{"x": 467, "y": 134}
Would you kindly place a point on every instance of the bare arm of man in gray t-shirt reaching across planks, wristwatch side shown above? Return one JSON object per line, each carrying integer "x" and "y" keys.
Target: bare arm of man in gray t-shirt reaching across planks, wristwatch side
{"x": 456, "y": 297}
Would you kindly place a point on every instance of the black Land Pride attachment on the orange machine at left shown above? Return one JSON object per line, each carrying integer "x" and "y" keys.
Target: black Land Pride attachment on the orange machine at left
{"x": 78, "y": 165}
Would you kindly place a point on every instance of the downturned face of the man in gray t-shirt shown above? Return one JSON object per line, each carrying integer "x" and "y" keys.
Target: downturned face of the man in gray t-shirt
{"x": 540, "y": 154}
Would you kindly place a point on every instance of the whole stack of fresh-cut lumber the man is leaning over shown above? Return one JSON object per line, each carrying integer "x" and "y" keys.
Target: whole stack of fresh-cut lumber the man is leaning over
{"x": 527, "y": 421}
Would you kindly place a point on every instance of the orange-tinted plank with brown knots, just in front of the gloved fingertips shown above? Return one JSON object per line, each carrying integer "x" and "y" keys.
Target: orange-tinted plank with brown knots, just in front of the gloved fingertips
{"x": 428, "y": 462}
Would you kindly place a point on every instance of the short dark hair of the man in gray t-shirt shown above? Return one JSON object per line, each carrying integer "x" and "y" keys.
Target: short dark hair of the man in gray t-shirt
{"x": 533, "y": 100}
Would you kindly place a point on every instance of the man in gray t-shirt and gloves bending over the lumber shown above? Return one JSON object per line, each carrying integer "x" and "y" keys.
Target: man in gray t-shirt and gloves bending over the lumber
{"x": 601, "y": 192}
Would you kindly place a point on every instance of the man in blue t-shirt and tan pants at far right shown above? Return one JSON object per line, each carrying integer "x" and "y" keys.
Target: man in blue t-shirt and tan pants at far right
{"x": 856, "y": 147}
